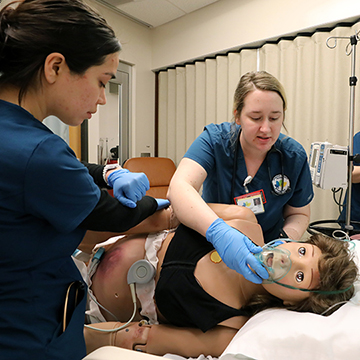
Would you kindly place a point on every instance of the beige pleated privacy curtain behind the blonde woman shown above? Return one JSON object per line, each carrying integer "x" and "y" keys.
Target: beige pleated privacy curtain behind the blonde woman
{"x": 315, "y": 78}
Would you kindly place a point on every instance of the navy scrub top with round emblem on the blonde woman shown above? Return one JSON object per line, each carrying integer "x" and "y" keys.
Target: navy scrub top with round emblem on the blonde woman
{"x": 214, "y": 150}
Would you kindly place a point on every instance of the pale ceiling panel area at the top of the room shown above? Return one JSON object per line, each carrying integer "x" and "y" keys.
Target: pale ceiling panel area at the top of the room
{"x": 154, "y": 13}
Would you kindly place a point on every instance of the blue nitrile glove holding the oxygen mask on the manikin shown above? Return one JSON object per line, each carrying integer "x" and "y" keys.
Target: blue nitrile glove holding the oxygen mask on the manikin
{"x": 235, "y": 249}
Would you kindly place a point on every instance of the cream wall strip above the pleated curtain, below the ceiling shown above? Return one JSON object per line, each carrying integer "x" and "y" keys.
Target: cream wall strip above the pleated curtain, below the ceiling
{"x": 229, "y": 24}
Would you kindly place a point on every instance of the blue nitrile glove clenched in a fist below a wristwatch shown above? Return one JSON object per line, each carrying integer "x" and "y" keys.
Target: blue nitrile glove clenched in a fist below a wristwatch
{"x": 128, "y": 187}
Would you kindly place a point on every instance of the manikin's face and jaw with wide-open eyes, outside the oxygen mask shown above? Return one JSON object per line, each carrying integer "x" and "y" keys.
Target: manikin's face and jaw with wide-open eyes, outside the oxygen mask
{"x": 304, "y": 272}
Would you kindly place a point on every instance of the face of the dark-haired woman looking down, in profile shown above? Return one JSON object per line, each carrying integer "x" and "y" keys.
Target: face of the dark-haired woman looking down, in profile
{"x": 76, "y": 97}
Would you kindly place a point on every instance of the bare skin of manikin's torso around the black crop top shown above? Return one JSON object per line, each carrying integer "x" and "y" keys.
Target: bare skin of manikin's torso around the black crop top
{"x": 112, "y": 291}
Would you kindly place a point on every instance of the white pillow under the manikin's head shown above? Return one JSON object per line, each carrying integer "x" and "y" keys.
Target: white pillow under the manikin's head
{"x": 282, "y": 334}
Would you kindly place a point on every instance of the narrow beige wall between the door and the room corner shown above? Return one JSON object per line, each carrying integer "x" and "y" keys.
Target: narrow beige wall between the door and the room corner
{"x": 136, "y": 51}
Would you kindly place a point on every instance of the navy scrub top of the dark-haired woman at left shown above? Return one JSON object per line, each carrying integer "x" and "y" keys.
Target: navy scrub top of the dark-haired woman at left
{"x": 45, "y": 193}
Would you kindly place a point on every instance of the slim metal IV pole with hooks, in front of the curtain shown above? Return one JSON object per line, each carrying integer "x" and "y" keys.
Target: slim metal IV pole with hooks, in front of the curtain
{"x": 352, "y": 82}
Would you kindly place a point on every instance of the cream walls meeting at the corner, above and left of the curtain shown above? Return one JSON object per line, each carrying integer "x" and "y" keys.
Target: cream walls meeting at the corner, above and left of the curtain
{"x": 216, "y": 28}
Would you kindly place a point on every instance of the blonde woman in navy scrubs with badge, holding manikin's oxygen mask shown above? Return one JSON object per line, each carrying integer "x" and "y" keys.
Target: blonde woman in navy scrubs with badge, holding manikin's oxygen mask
{"x": 249, "y": 163}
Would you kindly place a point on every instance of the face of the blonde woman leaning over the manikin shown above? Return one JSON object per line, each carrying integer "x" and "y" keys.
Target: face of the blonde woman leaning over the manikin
{"x": 261, "y": 119}
